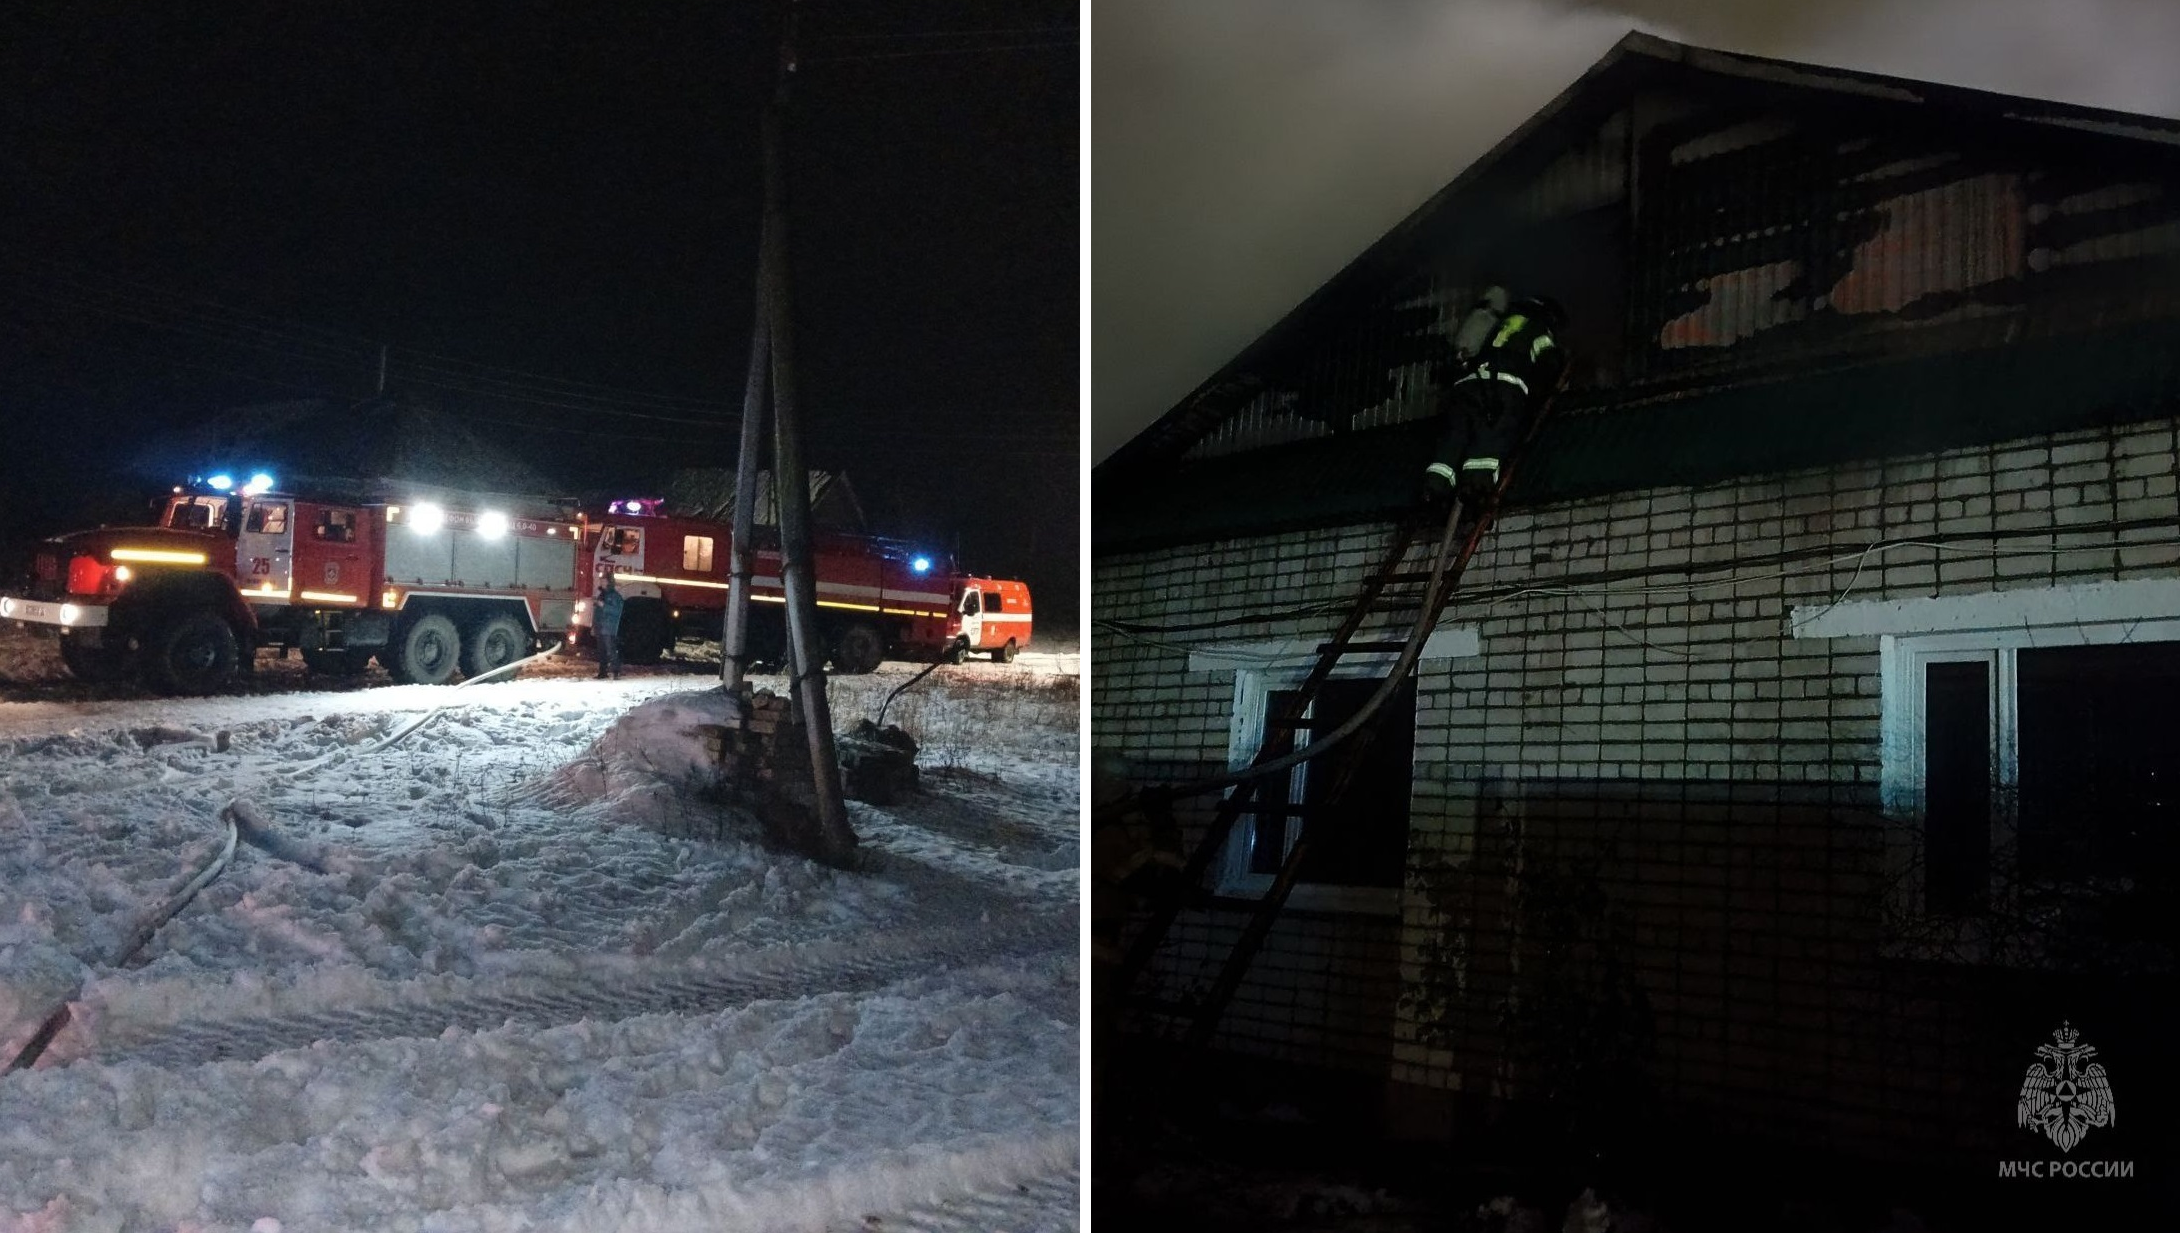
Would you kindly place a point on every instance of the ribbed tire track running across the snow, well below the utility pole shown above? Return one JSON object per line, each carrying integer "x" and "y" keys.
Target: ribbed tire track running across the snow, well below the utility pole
{"x": 780, "y": 974}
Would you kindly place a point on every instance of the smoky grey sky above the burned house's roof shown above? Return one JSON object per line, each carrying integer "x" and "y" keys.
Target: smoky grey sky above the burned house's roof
{"x": 1249, "y": 149}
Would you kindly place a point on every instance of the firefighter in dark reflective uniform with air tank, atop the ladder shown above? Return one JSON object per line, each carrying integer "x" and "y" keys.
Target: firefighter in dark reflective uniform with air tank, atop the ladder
{"x": 1491, "y": 403}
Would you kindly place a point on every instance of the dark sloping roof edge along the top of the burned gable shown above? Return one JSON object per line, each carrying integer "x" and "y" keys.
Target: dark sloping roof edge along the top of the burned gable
{"x": 1637, "y": 60}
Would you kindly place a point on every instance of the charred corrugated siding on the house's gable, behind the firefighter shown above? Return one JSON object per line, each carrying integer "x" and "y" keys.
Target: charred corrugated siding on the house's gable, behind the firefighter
{"x": 1724, "y": 237}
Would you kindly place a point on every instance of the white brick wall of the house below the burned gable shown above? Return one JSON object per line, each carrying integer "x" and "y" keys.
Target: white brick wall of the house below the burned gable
{"x": 1635, "y": 645}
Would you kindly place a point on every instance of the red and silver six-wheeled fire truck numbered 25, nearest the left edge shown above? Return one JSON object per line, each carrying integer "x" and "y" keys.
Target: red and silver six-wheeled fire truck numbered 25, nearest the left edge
{"x": 424, "y": 586}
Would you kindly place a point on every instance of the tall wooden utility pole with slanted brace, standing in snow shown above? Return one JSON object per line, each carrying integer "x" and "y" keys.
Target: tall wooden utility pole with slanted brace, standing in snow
{"x": 832, "y": 843}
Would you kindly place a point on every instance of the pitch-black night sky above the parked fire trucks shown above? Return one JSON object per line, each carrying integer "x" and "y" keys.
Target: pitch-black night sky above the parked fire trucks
{"x": 549, "y": 215}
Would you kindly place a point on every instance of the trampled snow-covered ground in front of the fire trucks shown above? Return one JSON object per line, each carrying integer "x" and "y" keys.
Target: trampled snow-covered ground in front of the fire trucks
{"x": 487, "y": 990}
